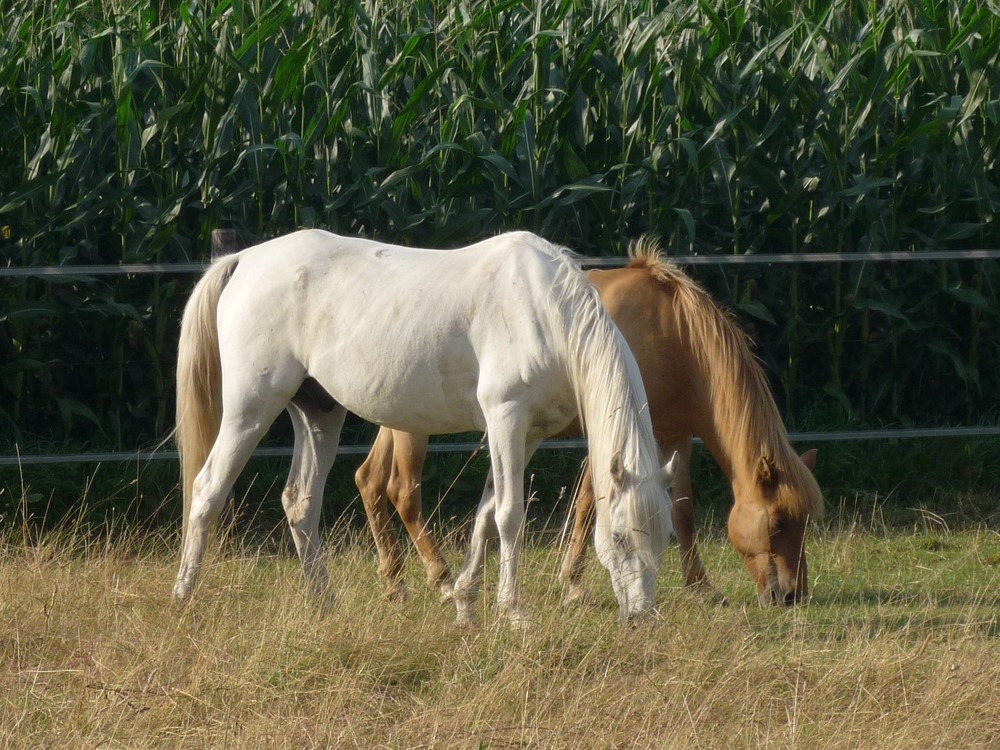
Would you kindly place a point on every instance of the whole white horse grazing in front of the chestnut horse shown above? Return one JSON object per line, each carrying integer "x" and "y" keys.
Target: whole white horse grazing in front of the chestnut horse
{"x": 504, "y": 336}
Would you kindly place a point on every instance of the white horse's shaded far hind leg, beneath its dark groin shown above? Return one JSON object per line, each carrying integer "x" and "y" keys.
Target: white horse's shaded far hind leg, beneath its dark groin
{"x": 317, "y": 434}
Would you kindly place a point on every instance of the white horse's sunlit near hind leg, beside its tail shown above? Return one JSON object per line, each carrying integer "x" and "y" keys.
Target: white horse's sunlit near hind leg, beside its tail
{"x": 236, "y": 440}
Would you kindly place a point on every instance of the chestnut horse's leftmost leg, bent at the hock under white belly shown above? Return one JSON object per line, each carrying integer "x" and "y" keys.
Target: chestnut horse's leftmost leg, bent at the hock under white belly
{"x": 372, "y": 479}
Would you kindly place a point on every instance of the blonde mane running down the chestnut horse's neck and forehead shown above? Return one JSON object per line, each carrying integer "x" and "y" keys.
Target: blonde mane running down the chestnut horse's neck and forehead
{"x": 737, "y": 384}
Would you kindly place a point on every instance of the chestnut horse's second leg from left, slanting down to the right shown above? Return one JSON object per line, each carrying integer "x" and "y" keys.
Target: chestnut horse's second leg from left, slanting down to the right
{"x": 408, "y": 454}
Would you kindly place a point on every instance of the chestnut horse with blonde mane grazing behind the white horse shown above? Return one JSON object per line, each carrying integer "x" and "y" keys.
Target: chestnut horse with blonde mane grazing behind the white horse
{"x": 702, "y": 379}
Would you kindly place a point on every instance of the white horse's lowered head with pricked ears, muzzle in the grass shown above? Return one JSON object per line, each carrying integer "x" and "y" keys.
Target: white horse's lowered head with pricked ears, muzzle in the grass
{"x": 633, "y": 525}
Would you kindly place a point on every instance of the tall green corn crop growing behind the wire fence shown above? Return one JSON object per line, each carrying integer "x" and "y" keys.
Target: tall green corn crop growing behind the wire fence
{"x": 133, "y": 129}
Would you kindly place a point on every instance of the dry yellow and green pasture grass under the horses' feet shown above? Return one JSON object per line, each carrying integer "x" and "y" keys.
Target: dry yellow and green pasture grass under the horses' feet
{"x": 898, "y": 648}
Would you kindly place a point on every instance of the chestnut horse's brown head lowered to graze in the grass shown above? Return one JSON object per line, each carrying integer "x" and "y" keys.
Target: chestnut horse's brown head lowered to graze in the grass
{"x": 767, "y": 525}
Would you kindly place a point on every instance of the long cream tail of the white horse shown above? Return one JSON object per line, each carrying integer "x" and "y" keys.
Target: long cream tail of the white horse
{"x": 199, "y": 376}
